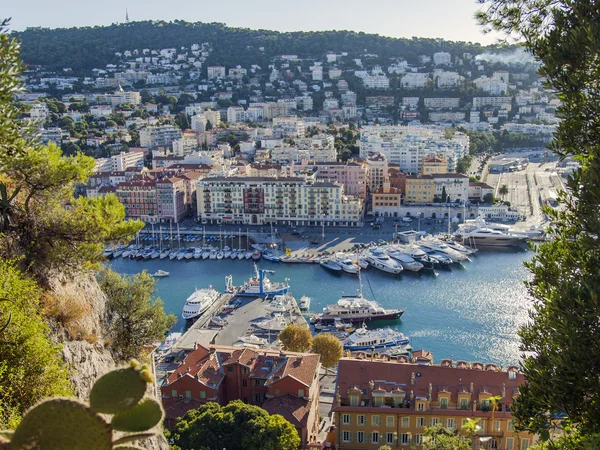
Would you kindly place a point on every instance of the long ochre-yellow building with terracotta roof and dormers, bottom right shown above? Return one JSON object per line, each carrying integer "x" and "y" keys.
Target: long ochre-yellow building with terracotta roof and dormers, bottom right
{"x": 390, "y": 402}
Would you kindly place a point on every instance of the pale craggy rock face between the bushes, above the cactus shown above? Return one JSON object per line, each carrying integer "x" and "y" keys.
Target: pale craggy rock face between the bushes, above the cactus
{"x": 89, "y": 360}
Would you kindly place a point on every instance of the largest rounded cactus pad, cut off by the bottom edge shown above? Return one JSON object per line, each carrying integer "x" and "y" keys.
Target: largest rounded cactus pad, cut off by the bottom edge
{"x": 59, "y": 424}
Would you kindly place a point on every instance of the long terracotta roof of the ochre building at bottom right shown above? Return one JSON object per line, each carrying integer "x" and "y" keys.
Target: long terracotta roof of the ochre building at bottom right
{"x": 417, "y": 378}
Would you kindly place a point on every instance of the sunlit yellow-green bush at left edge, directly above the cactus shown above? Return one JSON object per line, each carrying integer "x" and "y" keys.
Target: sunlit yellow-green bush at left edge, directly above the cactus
{"x": 31, "y": 366}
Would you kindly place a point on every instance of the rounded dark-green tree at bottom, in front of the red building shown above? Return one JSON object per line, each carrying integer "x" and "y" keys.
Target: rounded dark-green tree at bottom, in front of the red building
{"x": 236, "y": 426}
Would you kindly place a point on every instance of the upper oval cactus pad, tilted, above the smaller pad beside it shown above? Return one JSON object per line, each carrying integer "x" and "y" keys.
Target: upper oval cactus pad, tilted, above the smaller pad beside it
{"x": 117, "y": 391}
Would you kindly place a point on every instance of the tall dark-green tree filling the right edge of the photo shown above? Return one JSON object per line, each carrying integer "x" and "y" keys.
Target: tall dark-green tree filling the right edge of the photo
{"x": 561, "y": 340}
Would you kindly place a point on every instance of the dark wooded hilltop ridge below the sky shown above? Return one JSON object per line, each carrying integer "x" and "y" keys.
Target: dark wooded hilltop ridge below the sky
{"x": 85, "y": 48}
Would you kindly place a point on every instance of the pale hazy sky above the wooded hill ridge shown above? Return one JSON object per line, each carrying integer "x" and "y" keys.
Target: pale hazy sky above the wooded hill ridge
{"x": 448, "y": 19}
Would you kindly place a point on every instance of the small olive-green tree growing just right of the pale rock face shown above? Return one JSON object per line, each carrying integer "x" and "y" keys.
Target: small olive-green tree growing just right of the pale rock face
{"x": 135, "y": 318}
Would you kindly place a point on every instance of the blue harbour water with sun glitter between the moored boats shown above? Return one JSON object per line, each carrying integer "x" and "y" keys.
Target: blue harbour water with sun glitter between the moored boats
{"x": 471, "y": 312}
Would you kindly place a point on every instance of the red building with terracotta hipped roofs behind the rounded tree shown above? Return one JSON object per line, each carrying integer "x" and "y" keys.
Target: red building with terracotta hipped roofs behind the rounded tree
{"x": 280, "y": 382}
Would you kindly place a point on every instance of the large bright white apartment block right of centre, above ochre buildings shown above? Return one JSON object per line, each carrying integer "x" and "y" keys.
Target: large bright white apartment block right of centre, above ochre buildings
{"x": 408, "y": 145}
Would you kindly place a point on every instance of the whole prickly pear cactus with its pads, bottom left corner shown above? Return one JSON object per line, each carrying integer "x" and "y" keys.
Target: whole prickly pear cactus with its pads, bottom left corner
{"x": 62, "y": 423}
